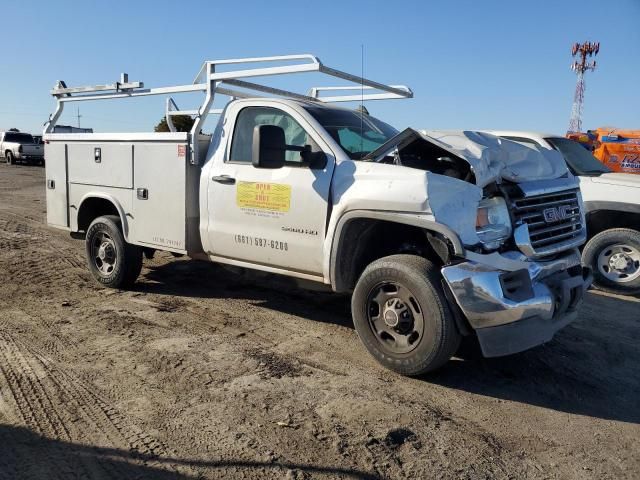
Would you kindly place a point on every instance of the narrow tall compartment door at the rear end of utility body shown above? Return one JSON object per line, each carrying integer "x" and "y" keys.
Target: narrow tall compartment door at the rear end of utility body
{"x": 56, "y": 185}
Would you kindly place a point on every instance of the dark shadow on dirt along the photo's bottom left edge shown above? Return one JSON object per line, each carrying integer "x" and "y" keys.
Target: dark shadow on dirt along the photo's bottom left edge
{"x": 27, "y": 455}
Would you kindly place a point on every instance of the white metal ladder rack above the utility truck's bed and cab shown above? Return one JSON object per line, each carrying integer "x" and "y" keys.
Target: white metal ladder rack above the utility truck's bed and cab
{"x": 211, "y": 81}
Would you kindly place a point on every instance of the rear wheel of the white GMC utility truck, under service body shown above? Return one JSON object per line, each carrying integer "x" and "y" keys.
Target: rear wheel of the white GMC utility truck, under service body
{"x": 112, "y": 261}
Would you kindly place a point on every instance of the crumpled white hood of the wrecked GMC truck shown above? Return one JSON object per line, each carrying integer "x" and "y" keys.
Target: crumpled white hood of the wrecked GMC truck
{"x": 490, "y": 157}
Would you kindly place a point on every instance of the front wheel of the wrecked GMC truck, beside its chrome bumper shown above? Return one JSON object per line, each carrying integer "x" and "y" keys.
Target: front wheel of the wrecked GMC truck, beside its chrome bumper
{"x": 420, "y": 281}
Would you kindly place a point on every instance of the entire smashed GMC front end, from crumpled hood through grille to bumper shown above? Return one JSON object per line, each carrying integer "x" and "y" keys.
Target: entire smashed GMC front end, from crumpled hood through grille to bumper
{"x": 518, "y": 212}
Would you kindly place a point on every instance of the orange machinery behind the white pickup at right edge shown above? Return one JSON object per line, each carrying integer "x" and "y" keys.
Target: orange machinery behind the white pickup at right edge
{"x": 617, "y": 149}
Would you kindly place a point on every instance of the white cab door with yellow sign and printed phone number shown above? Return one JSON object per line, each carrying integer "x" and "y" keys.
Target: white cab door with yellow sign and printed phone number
{"x": 275, "y": 217}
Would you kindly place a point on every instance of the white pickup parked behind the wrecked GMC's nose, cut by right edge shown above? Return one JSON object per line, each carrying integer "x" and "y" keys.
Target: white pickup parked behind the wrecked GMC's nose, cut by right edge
{"x": 612, "y": 207}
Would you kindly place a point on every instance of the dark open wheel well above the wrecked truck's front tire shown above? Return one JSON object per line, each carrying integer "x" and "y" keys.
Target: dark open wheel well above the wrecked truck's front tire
{"x": 364, "y": 240}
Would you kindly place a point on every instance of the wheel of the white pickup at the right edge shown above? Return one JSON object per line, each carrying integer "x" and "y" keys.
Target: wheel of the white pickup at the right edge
{"x": 603, "y": 246}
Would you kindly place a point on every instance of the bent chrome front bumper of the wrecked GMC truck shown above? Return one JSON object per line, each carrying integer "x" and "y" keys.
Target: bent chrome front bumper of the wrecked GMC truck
{"x": 514, "y": 304}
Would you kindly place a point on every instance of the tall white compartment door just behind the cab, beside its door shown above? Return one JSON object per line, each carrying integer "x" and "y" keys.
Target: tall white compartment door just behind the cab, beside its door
{"x": 159, "y": 218}
